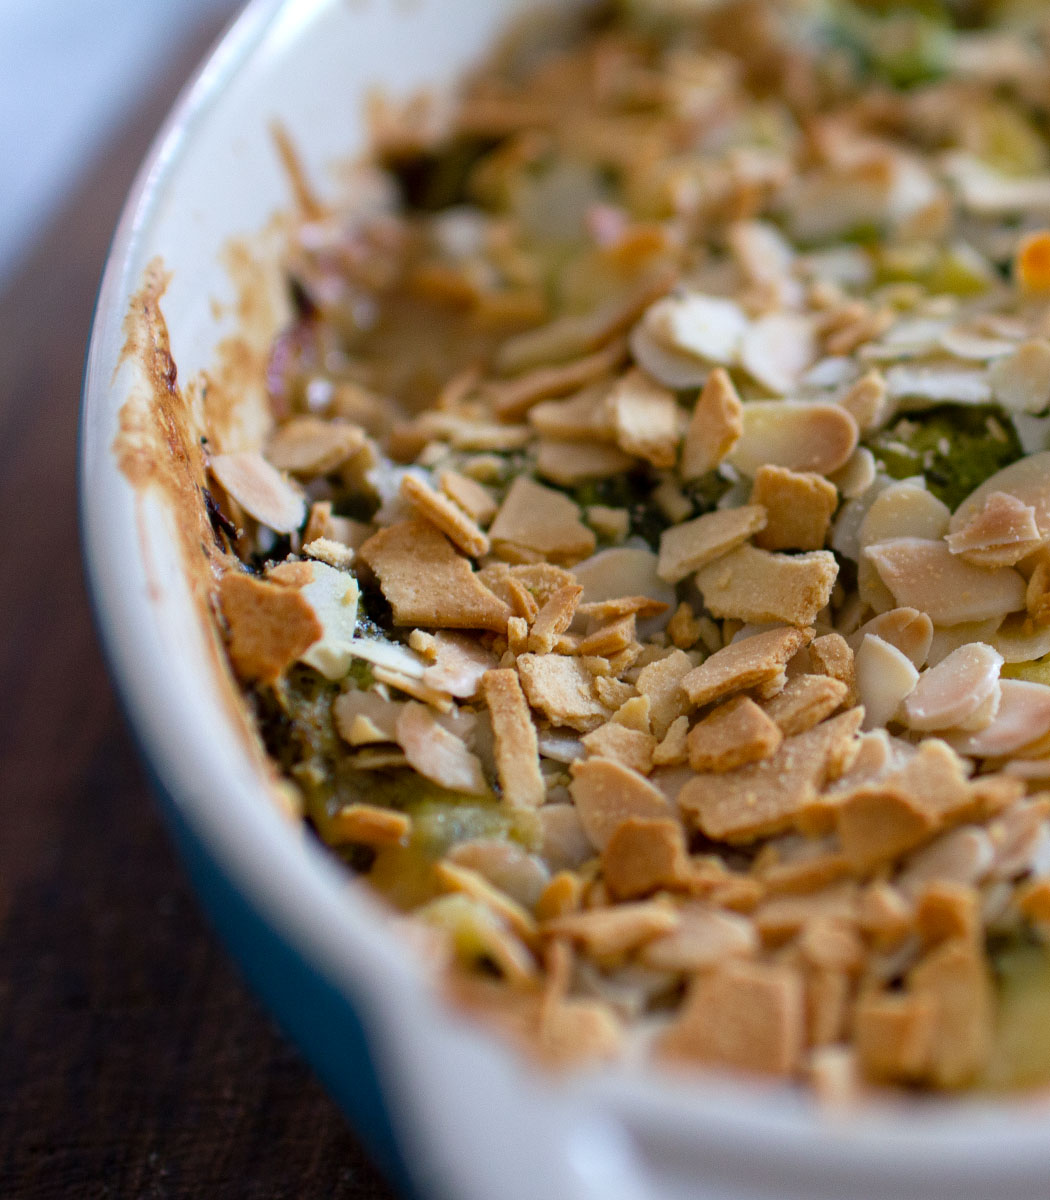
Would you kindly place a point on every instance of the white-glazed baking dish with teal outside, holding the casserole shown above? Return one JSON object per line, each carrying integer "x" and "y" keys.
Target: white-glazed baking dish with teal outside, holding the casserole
{"x": 448, "y": 1112}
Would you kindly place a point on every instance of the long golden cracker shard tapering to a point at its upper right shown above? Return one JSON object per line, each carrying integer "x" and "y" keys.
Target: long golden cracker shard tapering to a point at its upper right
{"x": 772, "y": 796}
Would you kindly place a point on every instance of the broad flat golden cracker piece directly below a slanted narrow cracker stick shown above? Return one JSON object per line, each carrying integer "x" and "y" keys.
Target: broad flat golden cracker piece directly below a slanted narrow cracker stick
{"x": 428, "y": 584}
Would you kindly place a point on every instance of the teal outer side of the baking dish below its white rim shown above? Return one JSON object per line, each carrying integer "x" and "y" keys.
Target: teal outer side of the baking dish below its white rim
{"x": 311, "y": 1011}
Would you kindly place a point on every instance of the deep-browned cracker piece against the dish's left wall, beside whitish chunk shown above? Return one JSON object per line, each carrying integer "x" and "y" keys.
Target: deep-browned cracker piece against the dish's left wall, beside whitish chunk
{"x": 271, "y": 626}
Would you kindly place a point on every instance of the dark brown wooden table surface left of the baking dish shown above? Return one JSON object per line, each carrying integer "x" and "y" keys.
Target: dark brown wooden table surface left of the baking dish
{"x": 133, "y": 1060}
